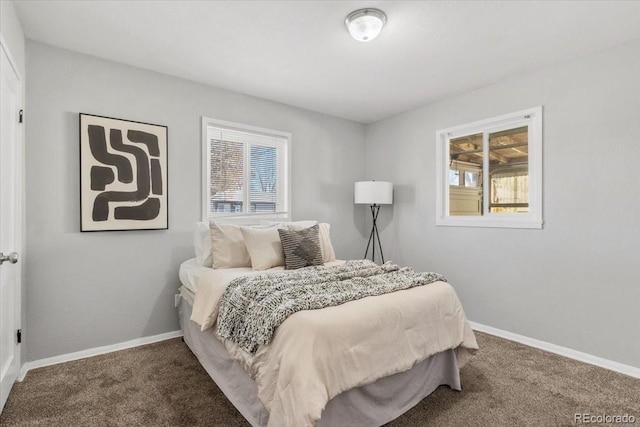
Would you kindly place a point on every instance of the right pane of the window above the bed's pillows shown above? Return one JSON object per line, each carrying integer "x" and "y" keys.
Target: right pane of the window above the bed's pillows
{"x": 263, "y": 196}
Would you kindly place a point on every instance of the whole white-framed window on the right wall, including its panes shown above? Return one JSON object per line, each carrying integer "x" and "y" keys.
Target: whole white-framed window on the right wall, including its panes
{"x": 489, "y": 173}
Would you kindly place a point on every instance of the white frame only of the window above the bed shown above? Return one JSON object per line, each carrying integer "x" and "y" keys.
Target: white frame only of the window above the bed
{"x": 284, "y": 167}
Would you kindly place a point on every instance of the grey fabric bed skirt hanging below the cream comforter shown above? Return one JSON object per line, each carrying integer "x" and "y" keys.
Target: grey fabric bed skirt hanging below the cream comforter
{"x": 374, "y": 404}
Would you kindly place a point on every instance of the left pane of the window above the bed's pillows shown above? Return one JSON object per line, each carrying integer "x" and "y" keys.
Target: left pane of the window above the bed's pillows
{"x": 227, "y": 176}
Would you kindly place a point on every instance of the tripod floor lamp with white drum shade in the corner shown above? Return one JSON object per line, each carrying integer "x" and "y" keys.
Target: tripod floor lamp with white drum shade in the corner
{"x": 374, "y": 194}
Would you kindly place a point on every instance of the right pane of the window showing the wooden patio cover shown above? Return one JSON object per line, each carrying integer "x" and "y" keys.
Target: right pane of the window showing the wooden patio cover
{"x": 509, "y": 170}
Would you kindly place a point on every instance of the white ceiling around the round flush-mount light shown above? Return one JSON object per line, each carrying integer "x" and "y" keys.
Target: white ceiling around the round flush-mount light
{"x": 299, "y": 52}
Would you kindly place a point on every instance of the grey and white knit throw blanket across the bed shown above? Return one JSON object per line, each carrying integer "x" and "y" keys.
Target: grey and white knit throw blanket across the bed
{"x": 252, "y": 307}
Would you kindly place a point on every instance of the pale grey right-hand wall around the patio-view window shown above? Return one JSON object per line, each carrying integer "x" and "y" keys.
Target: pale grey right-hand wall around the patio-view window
{"x": 576, "y": 283}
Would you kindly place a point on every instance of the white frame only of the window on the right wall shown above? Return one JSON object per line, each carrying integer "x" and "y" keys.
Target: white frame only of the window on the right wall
{"x": 533, "y": 219}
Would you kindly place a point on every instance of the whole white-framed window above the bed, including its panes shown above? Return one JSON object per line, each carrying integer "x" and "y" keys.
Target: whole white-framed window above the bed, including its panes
{"x": 246, "y": 171}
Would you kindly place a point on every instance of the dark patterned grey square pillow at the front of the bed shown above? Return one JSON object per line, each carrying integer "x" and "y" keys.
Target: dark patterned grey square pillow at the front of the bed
{"x": 301, "y": 247}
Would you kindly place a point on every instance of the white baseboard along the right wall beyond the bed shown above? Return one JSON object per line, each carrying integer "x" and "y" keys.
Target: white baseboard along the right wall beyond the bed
{"x": 632, "y": 371}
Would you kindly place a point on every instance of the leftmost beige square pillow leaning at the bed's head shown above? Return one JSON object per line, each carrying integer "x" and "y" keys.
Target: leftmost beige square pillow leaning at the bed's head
{"x": 228, "y": 248}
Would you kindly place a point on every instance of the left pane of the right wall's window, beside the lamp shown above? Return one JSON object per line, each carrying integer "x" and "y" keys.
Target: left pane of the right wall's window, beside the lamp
{"x": 465, "y": 163}
